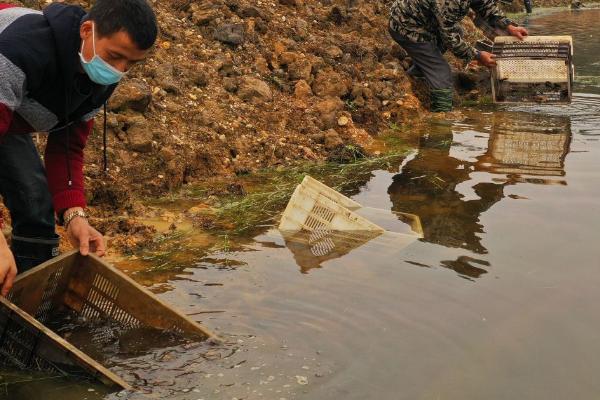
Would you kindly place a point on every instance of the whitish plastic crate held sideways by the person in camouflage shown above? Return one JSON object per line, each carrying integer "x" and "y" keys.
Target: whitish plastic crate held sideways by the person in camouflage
{"x": 537, "y": 69}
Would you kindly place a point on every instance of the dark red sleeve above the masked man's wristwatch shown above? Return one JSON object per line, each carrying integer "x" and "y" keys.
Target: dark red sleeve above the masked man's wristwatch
{"x": 65, "y": 195}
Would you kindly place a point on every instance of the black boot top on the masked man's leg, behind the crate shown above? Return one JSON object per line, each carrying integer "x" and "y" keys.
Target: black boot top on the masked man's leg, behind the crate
{"x": 31, "y": 252}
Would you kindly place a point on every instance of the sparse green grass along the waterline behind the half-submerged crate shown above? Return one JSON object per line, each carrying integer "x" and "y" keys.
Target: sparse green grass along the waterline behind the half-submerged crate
{"x": 268, "y": 191}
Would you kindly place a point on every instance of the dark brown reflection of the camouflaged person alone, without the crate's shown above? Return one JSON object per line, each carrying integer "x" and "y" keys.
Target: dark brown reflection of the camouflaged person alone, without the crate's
{"x": 427, "y": 187}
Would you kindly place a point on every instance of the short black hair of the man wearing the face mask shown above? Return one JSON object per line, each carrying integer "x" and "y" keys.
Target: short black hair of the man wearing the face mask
{"x": 135, "y": 17}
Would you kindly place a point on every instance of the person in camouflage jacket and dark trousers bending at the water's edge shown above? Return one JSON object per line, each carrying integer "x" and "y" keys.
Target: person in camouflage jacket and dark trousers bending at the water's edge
{"x": 426, "y": 29}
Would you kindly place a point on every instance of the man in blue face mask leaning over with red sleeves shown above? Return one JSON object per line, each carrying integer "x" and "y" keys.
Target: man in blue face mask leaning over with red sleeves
{"x": 57, "y": 69}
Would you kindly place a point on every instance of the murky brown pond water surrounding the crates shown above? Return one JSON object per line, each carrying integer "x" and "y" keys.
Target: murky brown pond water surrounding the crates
{"x": 498, "y": 300}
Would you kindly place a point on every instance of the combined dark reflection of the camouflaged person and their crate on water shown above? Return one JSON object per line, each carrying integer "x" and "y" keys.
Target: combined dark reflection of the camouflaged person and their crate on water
{"x": 521, "y": 148}
